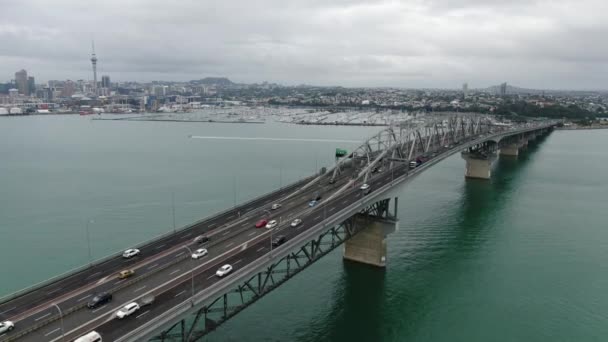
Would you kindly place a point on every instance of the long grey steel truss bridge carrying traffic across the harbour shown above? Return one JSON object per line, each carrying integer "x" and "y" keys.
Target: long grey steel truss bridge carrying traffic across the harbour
{"x": 356, "y": 208}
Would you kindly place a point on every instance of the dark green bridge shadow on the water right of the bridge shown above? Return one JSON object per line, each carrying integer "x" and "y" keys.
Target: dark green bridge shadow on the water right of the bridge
{"x": 395, "y": 304}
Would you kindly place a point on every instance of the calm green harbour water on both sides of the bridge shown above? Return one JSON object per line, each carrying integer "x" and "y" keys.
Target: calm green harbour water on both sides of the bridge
{"x": 519, "y": 258}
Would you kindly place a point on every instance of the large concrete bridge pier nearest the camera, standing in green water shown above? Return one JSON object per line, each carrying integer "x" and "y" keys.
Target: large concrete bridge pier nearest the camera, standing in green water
{"x": 368, "y": 246}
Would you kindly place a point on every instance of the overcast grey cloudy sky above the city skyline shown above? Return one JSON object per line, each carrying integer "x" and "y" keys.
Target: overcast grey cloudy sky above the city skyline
{"x": 411, "y": 43}
